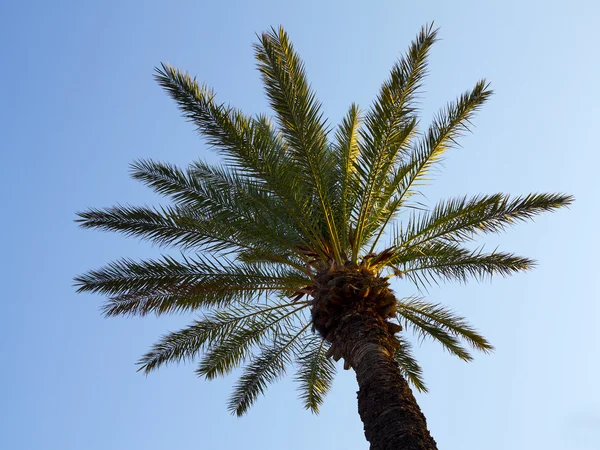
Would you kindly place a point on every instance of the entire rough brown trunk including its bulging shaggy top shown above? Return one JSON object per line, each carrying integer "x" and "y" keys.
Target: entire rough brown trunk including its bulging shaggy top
{"x": 350, "y": 307}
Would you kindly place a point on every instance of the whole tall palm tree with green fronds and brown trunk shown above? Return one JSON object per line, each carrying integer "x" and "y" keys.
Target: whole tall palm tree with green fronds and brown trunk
{"x": 281, "y": 252}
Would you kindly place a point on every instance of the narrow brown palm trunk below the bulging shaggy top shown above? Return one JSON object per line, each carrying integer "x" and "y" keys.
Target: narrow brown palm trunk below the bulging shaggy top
{"x": 390, "y": 414}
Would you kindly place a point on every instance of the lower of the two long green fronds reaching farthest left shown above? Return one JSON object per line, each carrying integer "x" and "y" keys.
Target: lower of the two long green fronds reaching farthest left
{"x": 167, "y": 285}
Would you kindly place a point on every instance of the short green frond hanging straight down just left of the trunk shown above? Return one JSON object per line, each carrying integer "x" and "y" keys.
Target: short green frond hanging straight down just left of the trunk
{"x": 315, "y": 373}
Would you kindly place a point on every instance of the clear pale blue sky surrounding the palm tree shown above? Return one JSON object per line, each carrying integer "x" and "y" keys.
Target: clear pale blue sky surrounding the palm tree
{"x": 78, "y": 103}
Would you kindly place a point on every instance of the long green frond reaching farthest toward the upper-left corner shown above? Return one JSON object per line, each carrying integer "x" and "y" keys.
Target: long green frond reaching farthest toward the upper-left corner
{"x": 249, "y": 145}
